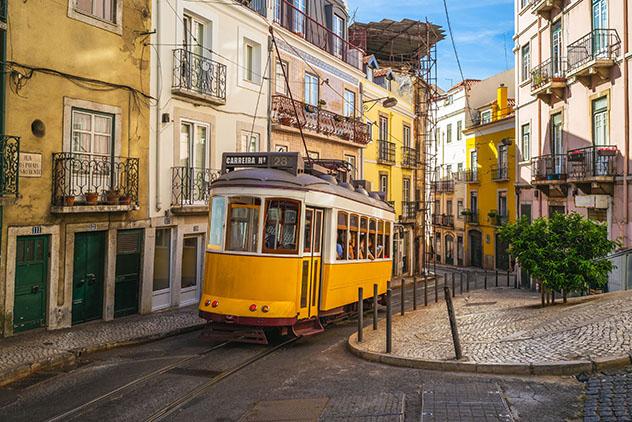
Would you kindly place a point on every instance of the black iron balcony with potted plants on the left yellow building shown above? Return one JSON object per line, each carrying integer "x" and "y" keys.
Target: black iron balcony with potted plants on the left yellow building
{"x": 85, "y": 183}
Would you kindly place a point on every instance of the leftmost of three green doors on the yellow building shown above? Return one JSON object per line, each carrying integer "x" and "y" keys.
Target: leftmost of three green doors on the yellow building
{"x": 31, "y": 271}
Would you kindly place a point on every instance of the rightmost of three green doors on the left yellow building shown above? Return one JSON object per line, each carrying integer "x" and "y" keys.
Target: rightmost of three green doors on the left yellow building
{"x": 127, "y": 281}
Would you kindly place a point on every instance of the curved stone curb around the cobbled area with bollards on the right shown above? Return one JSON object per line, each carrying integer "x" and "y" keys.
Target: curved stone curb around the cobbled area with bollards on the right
{"x": 561, "y": 368}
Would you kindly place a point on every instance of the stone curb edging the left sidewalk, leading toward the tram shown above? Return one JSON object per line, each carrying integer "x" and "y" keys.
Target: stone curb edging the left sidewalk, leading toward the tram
{"x": 69, "y": 357}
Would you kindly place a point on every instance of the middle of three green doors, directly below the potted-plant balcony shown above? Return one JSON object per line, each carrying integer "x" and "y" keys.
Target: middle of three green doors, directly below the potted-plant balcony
{"x": 87, "y": 282}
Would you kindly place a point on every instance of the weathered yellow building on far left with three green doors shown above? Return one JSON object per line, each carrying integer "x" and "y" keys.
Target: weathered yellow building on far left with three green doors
{"x": 77, "y": 104}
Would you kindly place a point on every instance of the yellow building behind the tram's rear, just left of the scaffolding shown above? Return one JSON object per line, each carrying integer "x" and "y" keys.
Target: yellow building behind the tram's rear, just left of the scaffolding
{"x": 390, "y": 159}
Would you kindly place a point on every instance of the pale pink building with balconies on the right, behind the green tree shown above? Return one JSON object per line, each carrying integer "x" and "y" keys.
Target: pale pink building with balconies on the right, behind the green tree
{"x": 573, "y": 110}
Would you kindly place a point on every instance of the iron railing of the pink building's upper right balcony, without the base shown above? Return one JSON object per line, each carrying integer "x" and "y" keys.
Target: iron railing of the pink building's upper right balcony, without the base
{"x": 599, "y": 44}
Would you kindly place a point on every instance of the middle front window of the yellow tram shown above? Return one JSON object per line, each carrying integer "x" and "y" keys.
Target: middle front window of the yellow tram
{"x": 243, "y": 219}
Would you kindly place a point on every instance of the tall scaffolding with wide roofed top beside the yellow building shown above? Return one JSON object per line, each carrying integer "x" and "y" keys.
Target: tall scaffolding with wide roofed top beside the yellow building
{"x": 410, "y": 47}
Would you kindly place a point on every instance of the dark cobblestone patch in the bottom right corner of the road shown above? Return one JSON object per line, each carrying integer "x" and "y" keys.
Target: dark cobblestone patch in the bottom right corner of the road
{"x": 609, "y": 397}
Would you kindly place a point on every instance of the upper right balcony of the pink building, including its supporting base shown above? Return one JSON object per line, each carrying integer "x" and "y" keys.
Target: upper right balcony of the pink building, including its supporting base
{"x": 594, "y": 55}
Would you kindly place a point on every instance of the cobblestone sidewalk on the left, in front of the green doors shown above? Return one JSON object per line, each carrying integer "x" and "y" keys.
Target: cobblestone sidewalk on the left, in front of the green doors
{"x": 29, "y": 350}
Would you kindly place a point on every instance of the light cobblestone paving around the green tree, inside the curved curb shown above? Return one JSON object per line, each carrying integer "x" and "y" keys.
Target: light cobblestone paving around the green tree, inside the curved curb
{"x": 509, "y": 326}
